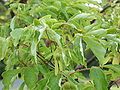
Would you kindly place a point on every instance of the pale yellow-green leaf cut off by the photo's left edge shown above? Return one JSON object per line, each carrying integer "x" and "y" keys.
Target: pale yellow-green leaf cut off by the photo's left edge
{"x": 3, "y": 47}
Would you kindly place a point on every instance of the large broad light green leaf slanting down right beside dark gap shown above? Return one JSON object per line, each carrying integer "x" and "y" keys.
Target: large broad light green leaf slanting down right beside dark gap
{"x": 98, "y": 50}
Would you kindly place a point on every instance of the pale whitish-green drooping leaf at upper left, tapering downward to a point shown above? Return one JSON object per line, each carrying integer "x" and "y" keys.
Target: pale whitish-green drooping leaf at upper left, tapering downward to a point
{"x": 16, "y": 35}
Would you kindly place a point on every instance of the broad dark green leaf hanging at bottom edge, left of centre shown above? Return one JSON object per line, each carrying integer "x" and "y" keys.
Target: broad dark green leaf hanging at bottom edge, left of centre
{"x": 31, "y": 76}
